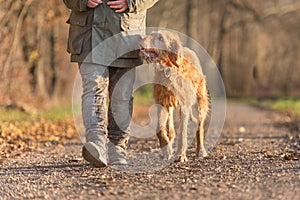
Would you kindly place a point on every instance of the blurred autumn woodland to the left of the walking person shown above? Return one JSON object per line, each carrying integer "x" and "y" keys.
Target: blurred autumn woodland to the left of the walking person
{"x": 33, "y": 38}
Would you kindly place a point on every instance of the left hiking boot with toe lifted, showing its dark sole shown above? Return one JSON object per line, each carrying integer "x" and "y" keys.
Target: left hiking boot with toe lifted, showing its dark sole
{"x": 95, "y": 153}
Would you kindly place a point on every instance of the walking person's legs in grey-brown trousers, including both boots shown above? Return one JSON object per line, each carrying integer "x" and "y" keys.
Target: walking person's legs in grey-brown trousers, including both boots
{"x": 106, "y": 143}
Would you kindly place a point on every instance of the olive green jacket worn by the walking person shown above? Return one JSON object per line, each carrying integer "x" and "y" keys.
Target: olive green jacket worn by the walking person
{"x": 110, "y": 36}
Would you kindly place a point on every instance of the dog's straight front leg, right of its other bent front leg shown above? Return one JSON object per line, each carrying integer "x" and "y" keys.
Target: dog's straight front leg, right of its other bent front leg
{"x": 182, "y": 136}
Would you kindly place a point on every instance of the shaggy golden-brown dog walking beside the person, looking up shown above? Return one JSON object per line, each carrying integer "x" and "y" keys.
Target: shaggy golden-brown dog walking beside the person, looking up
{"x": 179, "y": 84}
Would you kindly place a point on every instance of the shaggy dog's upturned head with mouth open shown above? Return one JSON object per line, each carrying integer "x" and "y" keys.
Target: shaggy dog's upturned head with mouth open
{"x": 161, "y": 47}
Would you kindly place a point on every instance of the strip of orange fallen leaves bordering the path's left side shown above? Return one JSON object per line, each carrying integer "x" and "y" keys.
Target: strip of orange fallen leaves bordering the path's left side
{"x": 17, "y": 137}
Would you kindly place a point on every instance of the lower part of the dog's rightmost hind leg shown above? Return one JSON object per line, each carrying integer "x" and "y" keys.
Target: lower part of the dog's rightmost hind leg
{"x": 200, "y": 135}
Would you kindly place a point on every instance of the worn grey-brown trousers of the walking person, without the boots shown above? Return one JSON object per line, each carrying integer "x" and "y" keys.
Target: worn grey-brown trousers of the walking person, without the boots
{"x": 104, "y": 86}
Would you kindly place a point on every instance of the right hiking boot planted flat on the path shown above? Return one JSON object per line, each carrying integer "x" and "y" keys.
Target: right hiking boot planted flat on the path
{"x": 116, "y": 155}
